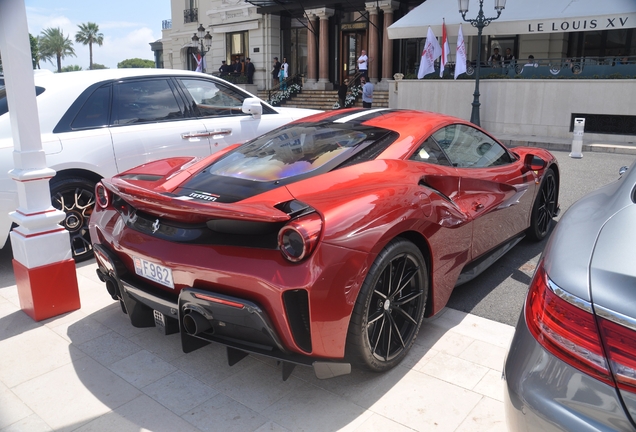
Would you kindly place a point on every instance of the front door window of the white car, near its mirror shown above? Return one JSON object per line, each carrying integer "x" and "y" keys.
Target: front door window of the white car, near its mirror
{"x": 213, "y": 99}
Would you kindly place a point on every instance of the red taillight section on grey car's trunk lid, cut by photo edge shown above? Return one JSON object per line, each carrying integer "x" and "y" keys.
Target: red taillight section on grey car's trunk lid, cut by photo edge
{"x": 620, "y": 345}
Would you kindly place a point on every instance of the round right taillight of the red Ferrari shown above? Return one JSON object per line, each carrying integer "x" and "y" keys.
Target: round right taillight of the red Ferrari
{"x": 298, "y": 239}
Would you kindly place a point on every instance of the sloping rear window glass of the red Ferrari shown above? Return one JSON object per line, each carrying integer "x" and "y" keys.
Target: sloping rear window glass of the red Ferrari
{"x": 296, "y": 150}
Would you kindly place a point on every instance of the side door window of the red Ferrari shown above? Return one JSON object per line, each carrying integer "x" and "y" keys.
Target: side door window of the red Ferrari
{"x": 467, "y": 147}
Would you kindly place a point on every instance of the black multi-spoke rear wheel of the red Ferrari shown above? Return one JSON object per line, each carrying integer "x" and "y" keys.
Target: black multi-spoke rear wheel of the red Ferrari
{"x": 385, "y": 319}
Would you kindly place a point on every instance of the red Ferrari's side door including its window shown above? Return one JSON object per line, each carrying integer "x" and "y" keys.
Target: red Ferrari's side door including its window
{"x": 494, "y": 188}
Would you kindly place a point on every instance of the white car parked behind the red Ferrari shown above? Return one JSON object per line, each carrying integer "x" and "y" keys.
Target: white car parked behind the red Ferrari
{"x": 98, "y": 123}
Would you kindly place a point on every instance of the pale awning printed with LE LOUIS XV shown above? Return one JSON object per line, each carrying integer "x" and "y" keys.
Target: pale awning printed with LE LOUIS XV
{"x": 519, "y": 17}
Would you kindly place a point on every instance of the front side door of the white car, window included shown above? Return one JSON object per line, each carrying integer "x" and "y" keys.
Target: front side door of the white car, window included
{"x": 219, "y": 106}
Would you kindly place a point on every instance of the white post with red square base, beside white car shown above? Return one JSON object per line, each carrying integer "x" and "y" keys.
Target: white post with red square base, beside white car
{"x": 42, "y": 262}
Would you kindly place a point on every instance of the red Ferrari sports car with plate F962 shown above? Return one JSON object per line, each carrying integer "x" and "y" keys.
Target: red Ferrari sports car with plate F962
{"x": 324, "y": 242}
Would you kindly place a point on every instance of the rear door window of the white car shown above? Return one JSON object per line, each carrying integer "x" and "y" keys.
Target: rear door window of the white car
{"x": 145, "y": 101}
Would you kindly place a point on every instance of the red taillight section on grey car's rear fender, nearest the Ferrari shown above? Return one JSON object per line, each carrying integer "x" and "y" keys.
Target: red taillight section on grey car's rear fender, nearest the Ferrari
{"x": 567, "y": 329}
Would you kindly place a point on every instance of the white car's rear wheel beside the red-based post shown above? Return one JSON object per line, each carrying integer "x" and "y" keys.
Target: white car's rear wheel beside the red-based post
{"x": 76, "y": 198}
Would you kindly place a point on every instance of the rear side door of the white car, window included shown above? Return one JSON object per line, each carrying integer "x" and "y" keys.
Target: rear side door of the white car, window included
{"x": 150, "y": 121}
